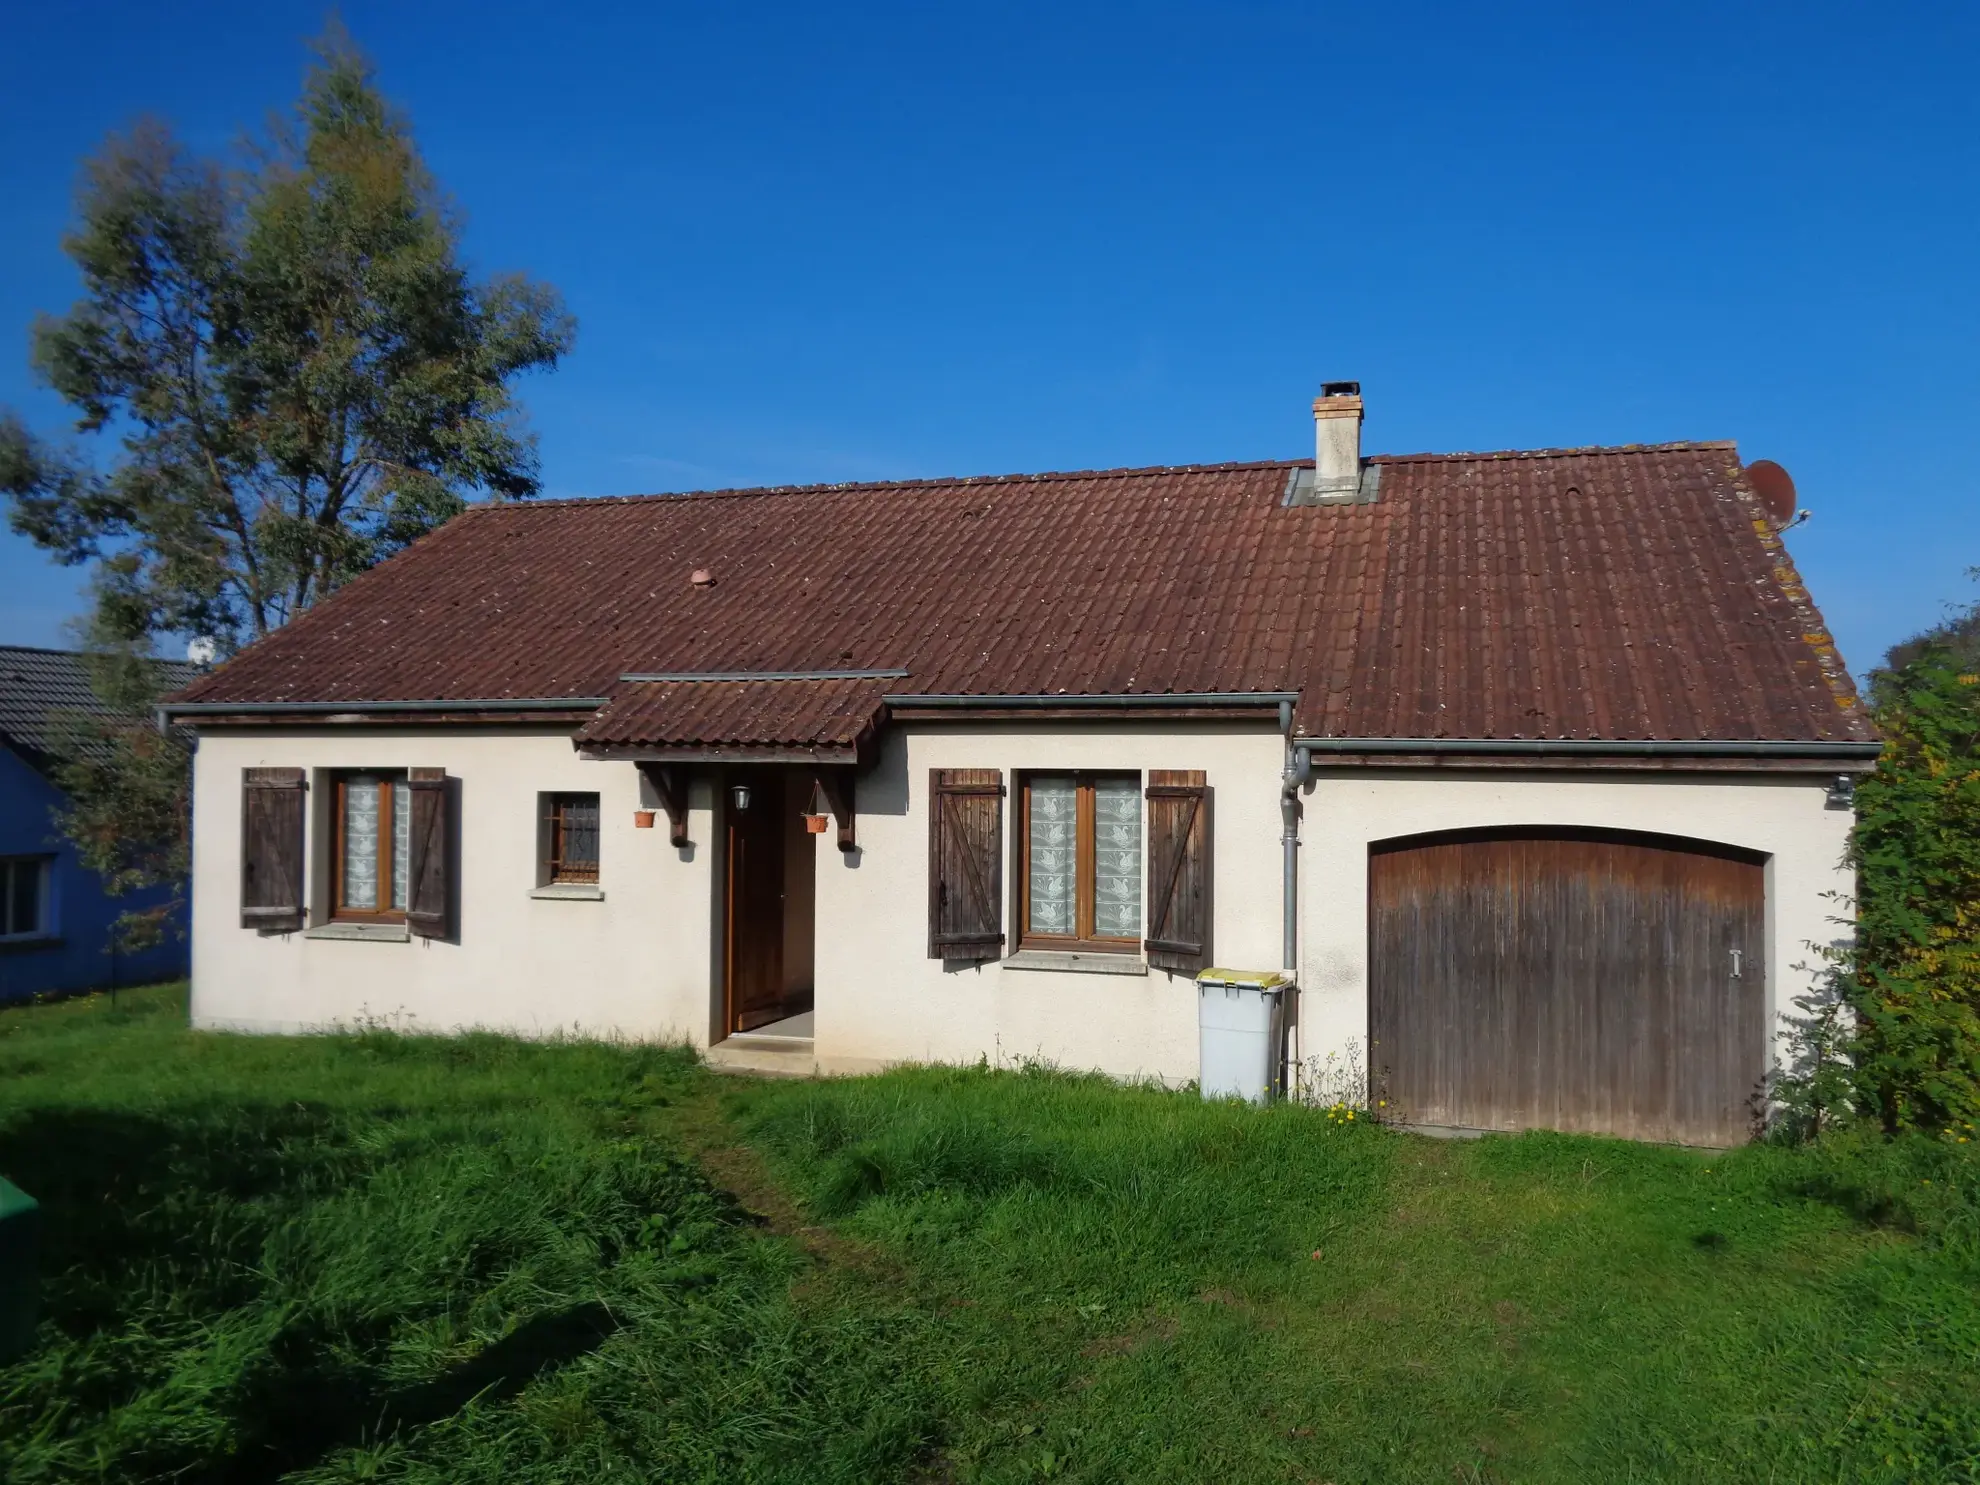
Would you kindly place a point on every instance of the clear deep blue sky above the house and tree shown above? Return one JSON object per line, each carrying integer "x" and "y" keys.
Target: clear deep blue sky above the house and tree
{"x": 825, "y": 243}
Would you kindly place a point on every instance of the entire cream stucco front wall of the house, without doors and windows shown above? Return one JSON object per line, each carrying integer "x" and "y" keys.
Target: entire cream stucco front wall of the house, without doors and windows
{"x": 643, "y": 963}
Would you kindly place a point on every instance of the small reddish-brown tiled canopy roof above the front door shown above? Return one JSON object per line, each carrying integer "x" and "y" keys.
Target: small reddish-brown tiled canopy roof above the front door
{"x": 813, "y": 718}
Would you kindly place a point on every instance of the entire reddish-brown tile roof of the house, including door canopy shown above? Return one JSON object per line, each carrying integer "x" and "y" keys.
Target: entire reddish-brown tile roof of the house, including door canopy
{"x": 1631, "y": 593}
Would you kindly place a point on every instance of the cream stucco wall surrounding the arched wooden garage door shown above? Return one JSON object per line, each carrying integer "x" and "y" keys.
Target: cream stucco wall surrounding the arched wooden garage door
{"x": 1785, "y": 817}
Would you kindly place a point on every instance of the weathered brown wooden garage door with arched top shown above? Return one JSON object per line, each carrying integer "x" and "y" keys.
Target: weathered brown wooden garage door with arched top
{"x": 1569, "y": 981}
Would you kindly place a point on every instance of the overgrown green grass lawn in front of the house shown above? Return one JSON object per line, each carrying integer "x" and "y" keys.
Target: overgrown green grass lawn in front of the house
{"x": 482, "y": 1260}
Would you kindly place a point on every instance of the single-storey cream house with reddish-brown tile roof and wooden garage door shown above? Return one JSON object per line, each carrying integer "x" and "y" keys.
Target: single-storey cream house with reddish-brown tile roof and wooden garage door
{"x": 1532, "y": 767}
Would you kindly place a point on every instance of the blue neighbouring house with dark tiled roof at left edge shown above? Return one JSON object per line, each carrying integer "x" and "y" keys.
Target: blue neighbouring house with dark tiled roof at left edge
{"x": 54, "y": 914}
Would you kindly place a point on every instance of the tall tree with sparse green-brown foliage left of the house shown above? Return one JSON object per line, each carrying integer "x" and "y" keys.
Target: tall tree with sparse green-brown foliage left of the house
{"x": 294, "y": 375}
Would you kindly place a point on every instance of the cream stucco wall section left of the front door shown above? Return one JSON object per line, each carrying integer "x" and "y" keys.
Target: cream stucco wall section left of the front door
{"x": 633, "y": 965}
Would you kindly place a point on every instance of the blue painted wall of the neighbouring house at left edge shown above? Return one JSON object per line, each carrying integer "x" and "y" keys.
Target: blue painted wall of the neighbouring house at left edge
{"x": 82, "y": 914}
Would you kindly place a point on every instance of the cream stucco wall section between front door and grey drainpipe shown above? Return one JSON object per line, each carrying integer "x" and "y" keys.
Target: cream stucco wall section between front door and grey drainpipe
{"x": 882, "y": 999}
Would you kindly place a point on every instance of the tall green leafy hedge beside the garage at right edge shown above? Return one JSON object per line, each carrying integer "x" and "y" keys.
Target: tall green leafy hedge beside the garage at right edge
{"x": 1914, "y": 971}
